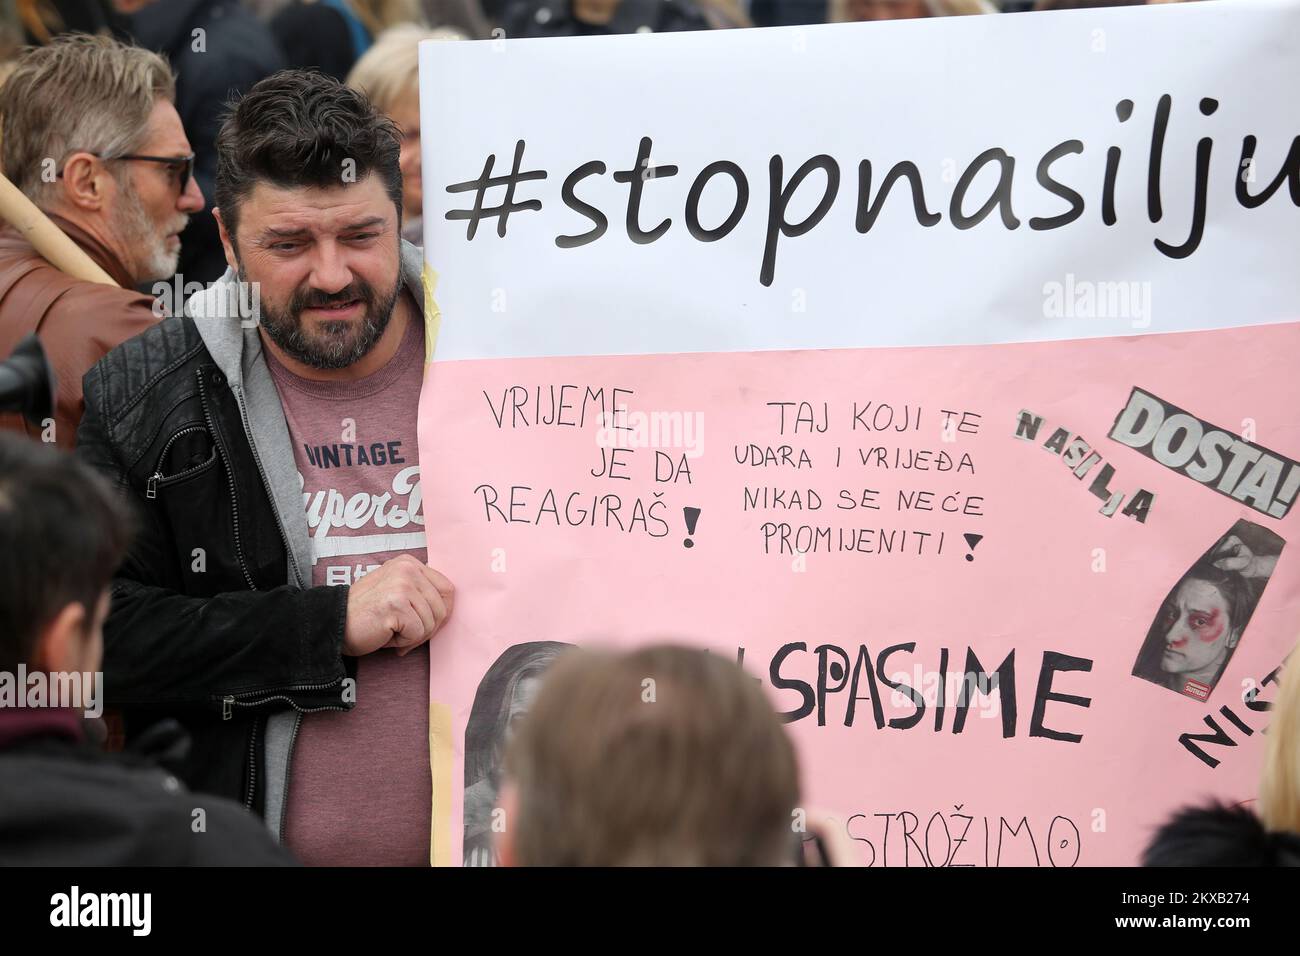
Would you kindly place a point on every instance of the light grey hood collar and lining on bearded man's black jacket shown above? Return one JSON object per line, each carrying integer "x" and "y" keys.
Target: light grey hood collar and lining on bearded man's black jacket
{"x": 236, "y": 349}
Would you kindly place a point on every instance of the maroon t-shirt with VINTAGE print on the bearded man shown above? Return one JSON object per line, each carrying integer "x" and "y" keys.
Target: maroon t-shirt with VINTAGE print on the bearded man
{"x": 359, "y": 786}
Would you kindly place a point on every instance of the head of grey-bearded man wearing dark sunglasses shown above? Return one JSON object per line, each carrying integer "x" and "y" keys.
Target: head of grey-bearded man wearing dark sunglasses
{"x": 89, "y": 132}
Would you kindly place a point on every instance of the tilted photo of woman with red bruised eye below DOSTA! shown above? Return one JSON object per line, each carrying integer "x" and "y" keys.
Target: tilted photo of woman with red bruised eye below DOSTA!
{"x": 1202, "y": 621}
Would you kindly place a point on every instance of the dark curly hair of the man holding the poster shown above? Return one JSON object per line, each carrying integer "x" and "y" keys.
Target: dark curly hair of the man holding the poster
{"x": 300, "y": 128}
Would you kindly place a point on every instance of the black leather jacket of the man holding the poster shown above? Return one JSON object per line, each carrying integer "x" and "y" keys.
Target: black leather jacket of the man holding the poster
{"x": 205, "y": 625}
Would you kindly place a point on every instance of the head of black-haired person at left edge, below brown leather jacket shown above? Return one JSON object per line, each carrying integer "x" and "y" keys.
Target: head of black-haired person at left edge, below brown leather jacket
{"x": 63, "y": 534}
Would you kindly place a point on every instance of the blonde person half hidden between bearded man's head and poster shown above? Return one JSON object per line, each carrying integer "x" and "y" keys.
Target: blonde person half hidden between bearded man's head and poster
{"x": 389, "y": 75}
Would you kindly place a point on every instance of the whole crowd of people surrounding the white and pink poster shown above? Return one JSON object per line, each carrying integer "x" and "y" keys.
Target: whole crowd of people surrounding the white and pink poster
{"x": 155, "y": 530}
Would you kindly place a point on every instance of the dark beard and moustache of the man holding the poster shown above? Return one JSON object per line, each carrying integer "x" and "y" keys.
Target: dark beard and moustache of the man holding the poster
{"x": 335, "y": 344}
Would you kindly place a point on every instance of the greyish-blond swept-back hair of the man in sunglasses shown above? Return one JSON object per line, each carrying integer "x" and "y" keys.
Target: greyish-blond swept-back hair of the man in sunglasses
{"x": 114, "y": 88}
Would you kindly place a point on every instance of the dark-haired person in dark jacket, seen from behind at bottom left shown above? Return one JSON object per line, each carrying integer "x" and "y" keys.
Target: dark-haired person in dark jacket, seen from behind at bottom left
{"x": 64, "y": 803}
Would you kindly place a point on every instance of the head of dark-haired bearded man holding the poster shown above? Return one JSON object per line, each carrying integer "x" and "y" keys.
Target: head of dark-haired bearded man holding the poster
{"x": 309, "y": 197}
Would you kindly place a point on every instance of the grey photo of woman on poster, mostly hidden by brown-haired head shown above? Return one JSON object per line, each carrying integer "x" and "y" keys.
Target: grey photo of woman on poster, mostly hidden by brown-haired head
{"x": 504, "y": 699}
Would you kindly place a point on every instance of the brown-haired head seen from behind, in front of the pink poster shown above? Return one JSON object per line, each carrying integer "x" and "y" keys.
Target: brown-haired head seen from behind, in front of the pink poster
{"x": 664, "y": 756}
